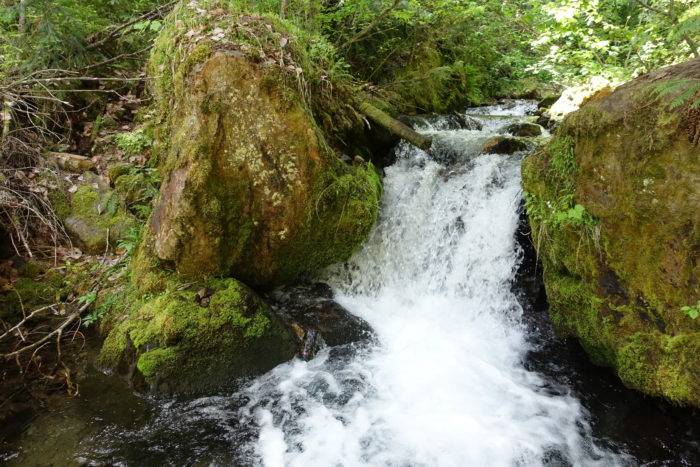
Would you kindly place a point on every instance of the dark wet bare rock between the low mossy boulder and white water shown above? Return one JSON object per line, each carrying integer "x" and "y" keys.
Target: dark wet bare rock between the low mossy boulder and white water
{"x": 310, "y": 308}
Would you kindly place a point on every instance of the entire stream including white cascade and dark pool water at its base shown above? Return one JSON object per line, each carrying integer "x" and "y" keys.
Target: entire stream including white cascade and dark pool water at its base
{"x": 463, "y": 369}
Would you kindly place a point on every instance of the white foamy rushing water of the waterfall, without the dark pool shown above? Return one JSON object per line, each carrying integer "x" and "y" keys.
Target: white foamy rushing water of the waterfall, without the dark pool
{"x": 444, "y": 383}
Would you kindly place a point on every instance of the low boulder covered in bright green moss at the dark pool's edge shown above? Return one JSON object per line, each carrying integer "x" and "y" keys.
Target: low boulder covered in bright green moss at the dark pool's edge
{"x": 197, "y": 340}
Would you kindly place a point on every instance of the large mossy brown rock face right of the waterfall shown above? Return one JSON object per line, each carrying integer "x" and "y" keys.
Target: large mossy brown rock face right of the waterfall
{"x": 613, "y": 205}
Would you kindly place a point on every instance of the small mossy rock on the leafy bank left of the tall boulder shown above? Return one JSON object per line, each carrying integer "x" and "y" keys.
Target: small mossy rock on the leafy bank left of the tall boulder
{"x": 96, "y": 219}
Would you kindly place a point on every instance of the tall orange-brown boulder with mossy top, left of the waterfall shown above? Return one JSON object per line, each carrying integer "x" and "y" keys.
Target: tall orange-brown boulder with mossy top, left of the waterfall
{"x": 251, "y": 187}
